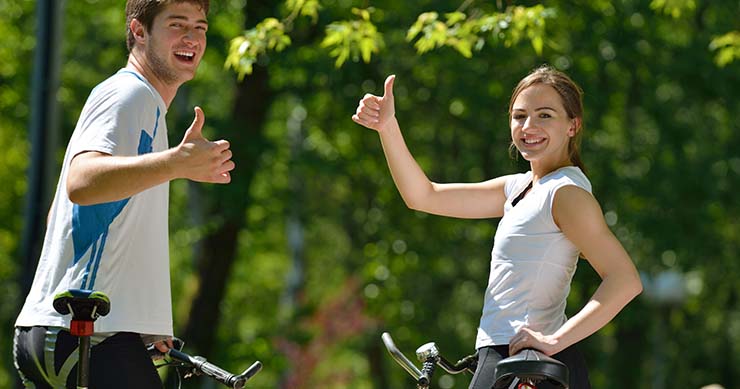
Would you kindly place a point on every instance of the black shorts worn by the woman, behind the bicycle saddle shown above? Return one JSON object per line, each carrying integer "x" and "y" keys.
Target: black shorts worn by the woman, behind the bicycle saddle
{"x": 488, "y": 357}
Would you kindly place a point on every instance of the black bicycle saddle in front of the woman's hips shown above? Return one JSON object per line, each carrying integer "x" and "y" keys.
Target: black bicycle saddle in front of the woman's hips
{"x": 530, "y": 364}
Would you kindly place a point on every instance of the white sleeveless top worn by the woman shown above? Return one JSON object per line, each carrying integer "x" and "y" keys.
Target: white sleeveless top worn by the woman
{"x": 532, "y": 262}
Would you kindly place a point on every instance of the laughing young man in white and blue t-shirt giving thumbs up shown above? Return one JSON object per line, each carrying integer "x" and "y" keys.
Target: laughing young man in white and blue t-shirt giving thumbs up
{"x": 108, "y": 225}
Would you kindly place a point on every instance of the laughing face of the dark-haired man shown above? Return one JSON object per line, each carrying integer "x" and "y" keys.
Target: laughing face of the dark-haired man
{"x": 176, "y": 42}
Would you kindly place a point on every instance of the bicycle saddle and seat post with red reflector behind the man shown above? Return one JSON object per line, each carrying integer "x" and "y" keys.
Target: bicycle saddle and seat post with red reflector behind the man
{"x": 85, "y": 306}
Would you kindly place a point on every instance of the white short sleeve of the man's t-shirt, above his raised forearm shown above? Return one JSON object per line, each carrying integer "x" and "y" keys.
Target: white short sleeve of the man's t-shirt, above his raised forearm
{"x": 111, "y": 120}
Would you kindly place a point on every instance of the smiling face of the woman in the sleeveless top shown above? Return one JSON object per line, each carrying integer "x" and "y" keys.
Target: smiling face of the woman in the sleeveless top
{"x": 540, "y": 126}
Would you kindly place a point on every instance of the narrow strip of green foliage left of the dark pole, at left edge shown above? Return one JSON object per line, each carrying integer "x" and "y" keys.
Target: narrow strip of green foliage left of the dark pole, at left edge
{"x": 16, "y": 23}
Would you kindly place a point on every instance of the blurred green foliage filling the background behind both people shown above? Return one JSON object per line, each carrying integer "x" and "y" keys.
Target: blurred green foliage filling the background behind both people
{"x": 326, "y": 228}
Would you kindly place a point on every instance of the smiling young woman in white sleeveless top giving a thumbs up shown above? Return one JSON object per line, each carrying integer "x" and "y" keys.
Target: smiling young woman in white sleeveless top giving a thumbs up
{"x": 548, "y": 219}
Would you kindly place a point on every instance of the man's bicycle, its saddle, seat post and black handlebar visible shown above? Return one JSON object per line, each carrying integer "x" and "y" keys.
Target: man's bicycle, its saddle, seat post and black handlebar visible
{"x": 86, "y": 306}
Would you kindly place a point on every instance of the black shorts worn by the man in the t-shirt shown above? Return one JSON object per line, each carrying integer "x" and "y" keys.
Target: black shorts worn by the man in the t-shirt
{"x": 47, "y": 358}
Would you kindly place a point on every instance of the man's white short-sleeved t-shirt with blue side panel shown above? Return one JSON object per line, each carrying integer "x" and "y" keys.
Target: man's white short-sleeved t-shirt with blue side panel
{"x": 119, "y": 248}
